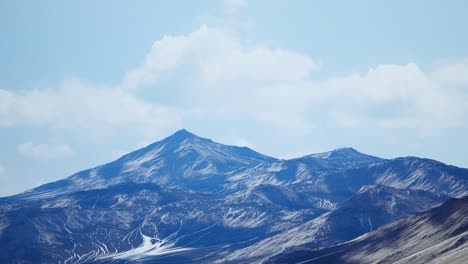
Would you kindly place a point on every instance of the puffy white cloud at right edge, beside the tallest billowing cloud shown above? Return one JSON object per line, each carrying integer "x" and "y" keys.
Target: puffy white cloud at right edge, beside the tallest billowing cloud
{"x": 394, "y": 96}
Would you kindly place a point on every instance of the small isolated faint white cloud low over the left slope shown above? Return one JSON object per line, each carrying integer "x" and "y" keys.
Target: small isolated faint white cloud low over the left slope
{"x": 44, "y": 151}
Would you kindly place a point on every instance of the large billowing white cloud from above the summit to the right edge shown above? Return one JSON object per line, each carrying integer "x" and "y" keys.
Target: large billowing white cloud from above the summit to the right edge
{"x": 227, "y": 79}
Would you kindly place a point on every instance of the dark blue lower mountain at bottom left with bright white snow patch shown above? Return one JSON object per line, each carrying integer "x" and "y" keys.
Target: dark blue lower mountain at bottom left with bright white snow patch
{"x": 133, "y": 221}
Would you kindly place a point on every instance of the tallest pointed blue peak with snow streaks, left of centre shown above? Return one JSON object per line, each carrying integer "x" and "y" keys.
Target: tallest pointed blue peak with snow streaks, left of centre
{"x": 182, "y": 160}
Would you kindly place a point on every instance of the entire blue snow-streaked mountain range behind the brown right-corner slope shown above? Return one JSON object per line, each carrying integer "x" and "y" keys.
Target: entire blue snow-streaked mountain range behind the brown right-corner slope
{"x": 187, "y": 199}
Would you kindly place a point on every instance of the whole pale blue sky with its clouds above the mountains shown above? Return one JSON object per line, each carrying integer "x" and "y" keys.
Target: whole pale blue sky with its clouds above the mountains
{"x": 84, "y": 82}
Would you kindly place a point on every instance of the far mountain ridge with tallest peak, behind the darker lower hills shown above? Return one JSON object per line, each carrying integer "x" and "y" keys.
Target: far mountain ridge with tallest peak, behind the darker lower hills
{"x": 189, "y": 161}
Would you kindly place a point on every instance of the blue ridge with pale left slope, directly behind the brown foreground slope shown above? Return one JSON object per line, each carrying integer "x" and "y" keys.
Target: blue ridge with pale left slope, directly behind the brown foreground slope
{"x": 370, "y": 208}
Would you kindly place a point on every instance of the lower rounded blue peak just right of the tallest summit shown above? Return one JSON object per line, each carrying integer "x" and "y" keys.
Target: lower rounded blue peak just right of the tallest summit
{"x": 311, "y": 170}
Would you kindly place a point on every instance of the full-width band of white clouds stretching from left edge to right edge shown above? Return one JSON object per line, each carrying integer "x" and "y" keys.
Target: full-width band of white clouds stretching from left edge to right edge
{"x": 215, "y": 77}
